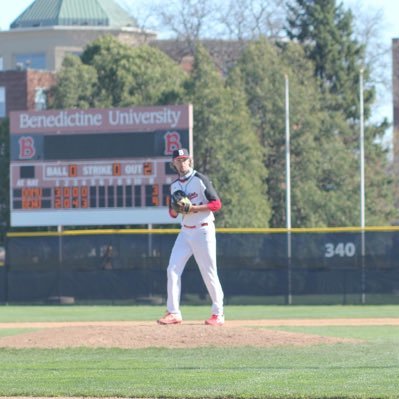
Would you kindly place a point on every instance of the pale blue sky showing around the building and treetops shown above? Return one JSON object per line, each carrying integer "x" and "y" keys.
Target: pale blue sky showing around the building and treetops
{"x": 390, "y": 29}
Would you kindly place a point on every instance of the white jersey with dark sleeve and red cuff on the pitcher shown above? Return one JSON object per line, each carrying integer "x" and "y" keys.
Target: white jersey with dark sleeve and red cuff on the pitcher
{"x": 200, "y": 190}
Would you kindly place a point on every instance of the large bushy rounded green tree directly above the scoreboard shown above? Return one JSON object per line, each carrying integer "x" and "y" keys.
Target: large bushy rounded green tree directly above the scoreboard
{"x": 133, "y": 75}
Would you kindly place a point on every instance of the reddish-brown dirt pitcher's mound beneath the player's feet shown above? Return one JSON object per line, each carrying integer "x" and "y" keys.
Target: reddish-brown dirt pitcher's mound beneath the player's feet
{"x": 144, "y": 335}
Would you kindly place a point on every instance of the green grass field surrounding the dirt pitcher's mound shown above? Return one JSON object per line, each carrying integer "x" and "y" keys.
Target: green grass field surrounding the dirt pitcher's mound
{"x": 368, "y": 368}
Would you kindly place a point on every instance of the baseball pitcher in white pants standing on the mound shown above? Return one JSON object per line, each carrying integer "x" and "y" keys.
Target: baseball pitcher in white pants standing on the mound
{"x": 194, "y": 197}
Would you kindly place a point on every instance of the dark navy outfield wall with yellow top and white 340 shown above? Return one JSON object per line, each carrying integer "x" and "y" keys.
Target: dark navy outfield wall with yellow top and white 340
{"x": 276, "y": 266}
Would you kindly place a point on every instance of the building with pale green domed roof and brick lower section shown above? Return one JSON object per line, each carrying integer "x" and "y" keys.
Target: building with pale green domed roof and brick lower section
{"x": 38, "y": 40}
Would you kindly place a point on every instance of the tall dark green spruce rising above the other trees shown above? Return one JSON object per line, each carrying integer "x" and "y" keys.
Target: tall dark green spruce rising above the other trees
{"x": 326, "y": 32}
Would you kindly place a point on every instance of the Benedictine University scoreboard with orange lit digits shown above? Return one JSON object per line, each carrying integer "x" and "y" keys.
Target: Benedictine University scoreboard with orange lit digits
{"x": 96, "y": 166}
